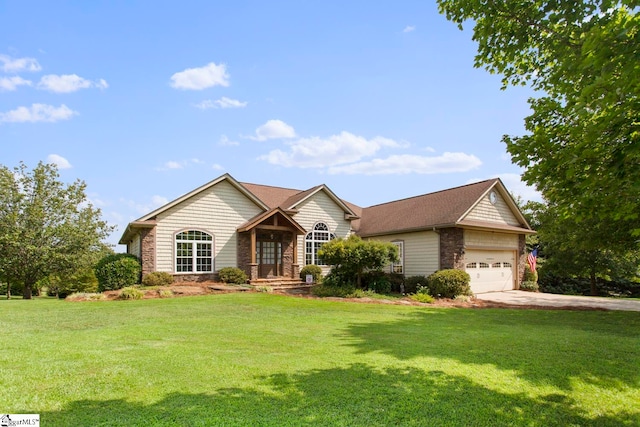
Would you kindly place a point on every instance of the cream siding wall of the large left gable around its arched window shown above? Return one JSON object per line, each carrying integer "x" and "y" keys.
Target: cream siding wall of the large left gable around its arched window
{"x": 218, "y": 211}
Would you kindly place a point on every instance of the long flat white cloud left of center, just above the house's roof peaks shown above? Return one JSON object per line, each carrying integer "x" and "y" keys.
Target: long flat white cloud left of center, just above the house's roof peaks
{"x": 316, "y": 152}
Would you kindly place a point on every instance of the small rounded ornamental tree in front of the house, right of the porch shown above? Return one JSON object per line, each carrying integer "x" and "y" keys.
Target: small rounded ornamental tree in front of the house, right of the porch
{"x": 356, "y": 256}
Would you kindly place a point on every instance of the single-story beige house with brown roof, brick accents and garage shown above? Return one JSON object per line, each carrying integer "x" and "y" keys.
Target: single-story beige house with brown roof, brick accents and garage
{"x": 271, "y": 232}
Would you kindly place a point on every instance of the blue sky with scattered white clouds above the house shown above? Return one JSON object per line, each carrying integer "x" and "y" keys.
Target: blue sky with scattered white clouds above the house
{"x": 145, "y": 101}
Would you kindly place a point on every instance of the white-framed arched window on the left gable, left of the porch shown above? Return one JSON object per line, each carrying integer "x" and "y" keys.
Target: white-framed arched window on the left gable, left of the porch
{"x": 194, "y": 252}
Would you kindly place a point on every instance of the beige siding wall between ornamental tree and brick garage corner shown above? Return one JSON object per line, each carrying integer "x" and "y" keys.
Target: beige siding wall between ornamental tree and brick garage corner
{"x": 421, "y": 251}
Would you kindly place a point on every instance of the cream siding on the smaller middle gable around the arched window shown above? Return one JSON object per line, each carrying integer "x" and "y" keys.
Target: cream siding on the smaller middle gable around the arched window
{"x": 320, "y": 208}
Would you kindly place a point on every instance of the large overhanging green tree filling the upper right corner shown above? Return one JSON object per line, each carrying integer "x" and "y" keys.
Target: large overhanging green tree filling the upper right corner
{"x": 582, "y": 150}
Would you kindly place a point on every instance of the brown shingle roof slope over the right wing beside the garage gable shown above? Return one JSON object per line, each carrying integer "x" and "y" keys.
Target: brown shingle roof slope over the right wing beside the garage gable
{"x": 442, "y": 208}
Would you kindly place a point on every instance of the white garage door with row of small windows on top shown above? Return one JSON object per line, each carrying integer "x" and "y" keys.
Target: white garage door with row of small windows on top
{"x": 490, "y": 271}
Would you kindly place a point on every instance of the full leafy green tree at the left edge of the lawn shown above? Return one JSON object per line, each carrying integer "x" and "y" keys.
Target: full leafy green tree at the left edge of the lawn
{"x": 46, "y": 227}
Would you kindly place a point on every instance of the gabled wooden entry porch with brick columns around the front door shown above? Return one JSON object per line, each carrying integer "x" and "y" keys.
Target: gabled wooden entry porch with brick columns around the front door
{"x": 268, "y": 247}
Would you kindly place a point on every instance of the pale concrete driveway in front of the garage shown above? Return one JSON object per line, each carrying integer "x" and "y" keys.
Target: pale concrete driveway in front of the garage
{"x": 553, "y": 300}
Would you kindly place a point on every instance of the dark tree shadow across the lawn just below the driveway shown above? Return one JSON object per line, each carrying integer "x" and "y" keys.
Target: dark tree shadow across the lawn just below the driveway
{"x": 542, "y": 346}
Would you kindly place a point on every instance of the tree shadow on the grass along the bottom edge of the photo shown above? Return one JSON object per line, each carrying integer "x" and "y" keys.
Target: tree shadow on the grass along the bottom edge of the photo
{"x": 355, "y": 395}
